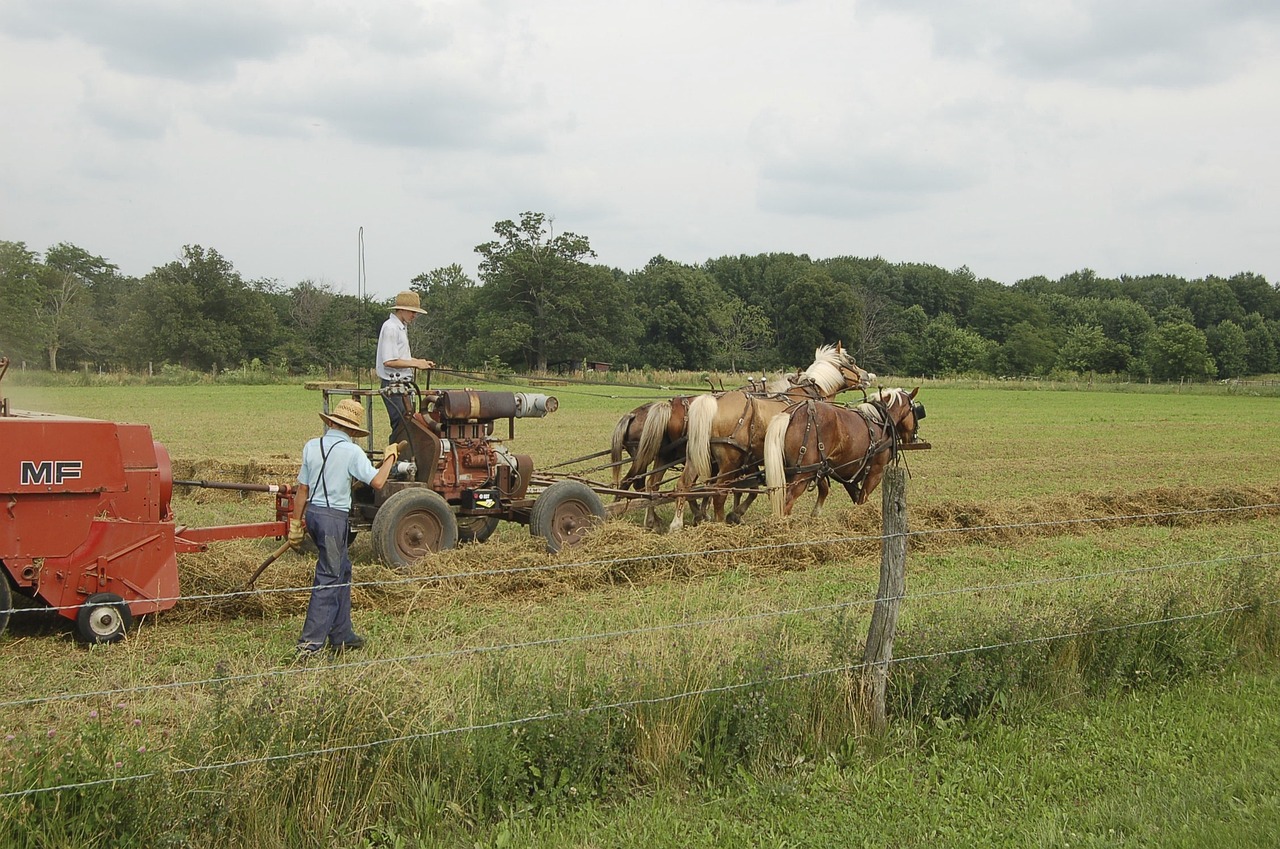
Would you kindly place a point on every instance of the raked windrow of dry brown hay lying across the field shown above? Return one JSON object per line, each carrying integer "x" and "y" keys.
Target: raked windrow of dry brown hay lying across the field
{"x": 513, "y": 568}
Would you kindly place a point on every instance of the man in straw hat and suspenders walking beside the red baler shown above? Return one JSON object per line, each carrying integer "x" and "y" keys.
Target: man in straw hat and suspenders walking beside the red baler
{"x": 322, "y": 508}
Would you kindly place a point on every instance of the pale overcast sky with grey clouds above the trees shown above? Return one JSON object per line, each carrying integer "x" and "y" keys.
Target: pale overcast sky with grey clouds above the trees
{"x": 1011, "y": 136}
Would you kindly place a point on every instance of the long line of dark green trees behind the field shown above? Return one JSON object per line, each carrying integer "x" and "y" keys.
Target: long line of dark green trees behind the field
{"x": 541, "y": 303}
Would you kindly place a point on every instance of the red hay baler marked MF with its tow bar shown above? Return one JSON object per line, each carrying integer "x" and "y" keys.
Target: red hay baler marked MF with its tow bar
{"x": 86, "y": 522}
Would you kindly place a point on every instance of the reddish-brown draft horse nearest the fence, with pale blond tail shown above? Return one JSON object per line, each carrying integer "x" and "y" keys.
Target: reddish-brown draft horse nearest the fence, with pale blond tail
{"x": 816, "y": 441}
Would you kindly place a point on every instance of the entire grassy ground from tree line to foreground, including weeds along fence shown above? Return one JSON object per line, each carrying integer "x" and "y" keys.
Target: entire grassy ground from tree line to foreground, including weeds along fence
{"x": 1099, "y": 683}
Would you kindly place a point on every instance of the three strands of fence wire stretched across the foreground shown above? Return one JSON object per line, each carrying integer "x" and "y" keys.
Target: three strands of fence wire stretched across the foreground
{"x": 365, "y": 667}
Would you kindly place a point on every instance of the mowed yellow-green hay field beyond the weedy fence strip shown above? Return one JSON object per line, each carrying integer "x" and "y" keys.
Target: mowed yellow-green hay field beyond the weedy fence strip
{"x": 1032, "y": 509}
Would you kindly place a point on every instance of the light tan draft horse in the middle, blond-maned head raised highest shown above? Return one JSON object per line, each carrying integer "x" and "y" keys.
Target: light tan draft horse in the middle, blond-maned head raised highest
{"x": 726, "y": 433}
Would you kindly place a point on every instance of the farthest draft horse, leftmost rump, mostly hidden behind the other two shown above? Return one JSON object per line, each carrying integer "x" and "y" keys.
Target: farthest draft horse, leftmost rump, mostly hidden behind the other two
{"x": 655, "y": 436}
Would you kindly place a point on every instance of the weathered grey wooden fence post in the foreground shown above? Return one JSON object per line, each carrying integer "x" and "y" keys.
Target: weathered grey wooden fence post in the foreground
{"x": 880, "y": 637}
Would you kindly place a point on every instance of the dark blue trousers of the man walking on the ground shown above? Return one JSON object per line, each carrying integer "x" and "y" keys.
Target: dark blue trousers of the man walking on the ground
{"x": 330, "y": 609}
